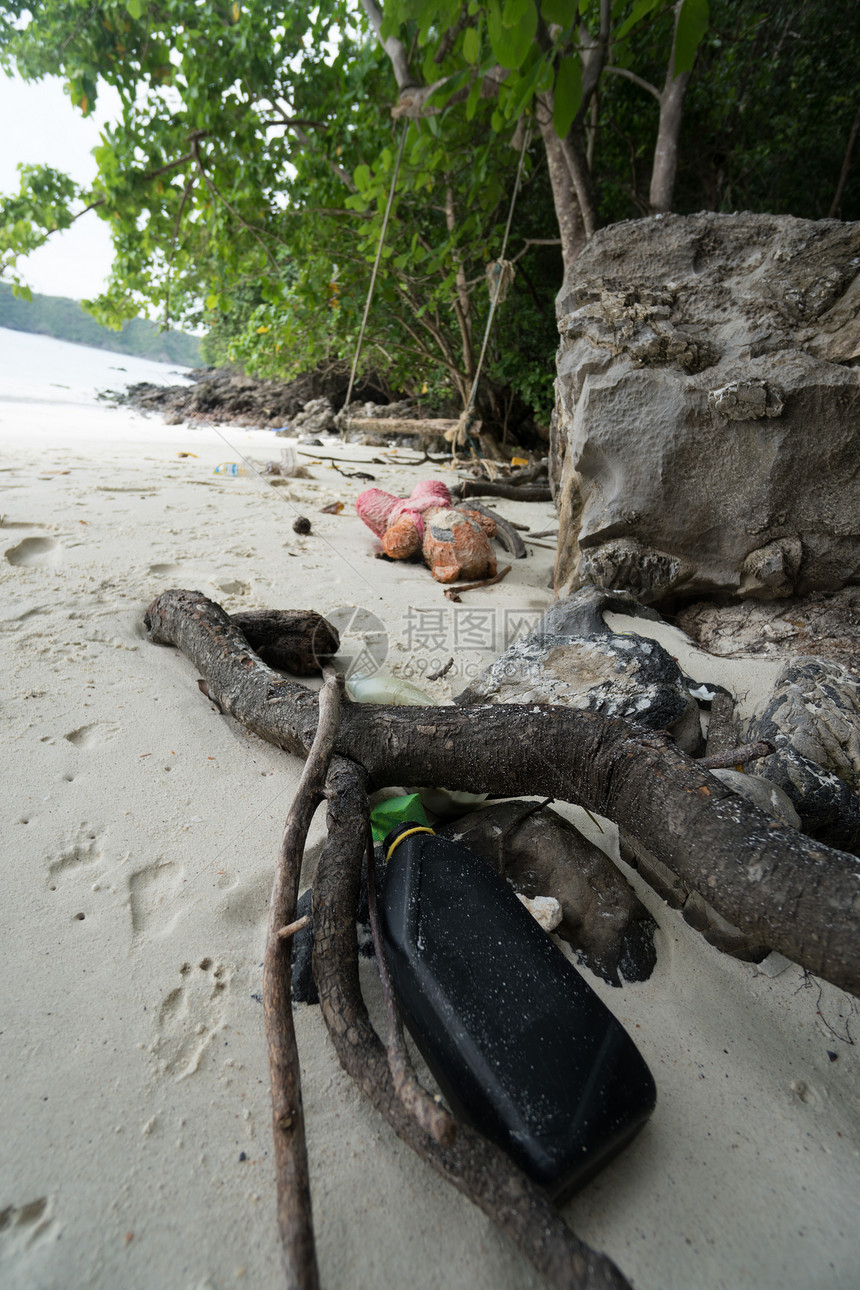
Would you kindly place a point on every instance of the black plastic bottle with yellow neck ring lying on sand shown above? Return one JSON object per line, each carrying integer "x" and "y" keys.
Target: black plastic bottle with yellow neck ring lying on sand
{"x": 522, "y": 1046}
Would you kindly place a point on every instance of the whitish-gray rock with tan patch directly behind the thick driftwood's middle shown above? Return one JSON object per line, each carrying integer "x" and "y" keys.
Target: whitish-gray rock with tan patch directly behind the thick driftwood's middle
{"x": 574, "y": 660}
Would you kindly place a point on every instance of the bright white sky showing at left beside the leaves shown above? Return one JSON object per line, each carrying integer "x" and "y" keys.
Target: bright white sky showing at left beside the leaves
{"x": 43, "y": 127}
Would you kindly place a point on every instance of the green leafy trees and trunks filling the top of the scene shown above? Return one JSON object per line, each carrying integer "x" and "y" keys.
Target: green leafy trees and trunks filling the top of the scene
{"x": 247, "y": 177}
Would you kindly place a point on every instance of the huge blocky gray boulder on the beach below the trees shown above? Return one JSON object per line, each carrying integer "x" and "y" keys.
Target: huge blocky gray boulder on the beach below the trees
{"x": 709, "y": 413}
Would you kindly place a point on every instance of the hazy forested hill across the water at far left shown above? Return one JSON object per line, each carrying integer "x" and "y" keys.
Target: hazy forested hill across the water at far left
{"x": 65, "y": 319}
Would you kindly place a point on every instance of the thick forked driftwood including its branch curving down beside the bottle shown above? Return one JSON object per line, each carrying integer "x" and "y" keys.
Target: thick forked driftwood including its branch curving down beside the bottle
{"x": 801, "y": 897}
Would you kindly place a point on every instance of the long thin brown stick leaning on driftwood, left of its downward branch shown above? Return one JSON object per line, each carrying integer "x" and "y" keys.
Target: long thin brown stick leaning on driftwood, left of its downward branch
{"x": 295, "y": 1217}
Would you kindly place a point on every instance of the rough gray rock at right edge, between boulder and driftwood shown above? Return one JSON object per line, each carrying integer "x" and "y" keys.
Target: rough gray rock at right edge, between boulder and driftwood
{"x": 813, "y": 719}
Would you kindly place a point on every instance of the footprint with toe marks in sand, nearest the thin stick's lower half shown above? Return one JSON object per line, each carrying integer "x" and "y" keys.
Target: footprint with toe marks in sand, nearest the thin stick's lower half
{"x": 190, "y": 1018}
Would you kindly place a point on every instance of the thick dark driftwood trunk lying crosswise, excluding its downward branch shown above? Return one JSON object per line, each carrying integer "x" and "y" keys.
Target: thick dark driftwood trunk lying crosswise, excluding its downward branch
{"x": 799, "y": 896}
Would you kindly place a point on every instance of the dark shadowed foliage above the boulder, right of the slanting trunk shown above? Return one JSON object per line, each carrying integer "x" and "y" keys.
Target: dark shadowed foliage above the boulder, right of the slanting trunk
{"x": 770, "y": 110}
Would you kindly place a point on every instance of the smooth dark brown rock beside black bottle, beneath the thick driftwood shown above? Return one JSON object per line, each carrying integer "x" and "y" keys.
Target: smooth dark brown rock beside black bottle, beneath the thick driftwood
{"x": 603, "y": 918}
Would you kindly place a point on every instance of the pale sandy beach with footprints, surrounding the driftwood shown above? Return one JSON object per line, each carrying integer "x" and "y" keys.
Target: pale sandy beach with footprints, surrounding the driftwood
{"x": 140, "y": 834}
